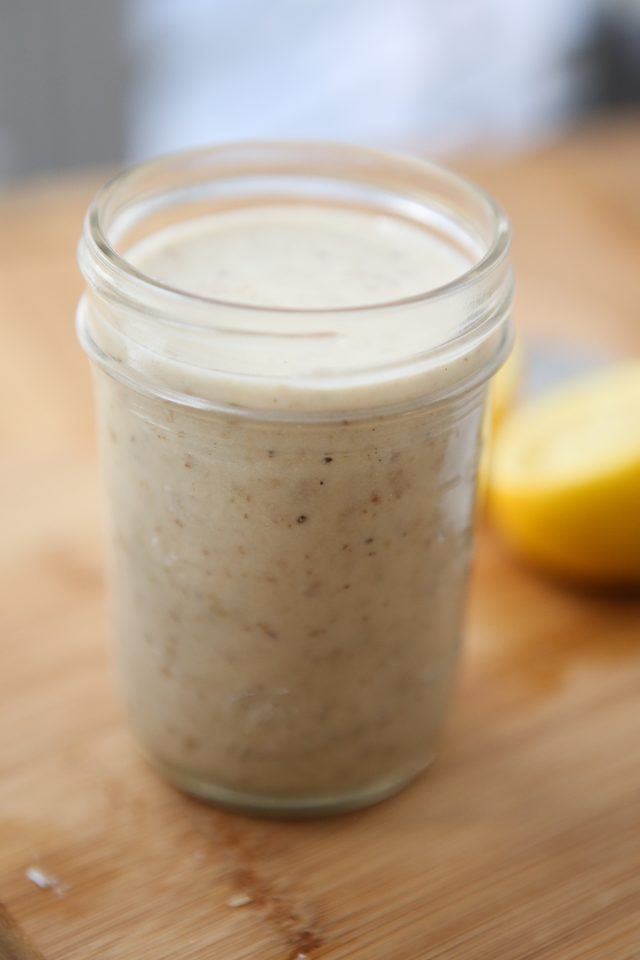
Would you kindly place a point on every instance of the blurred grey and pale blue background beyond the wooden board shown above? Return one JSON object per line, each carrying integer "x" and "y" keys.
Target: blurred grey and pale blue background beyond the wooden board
{"x": 88, "y": 82}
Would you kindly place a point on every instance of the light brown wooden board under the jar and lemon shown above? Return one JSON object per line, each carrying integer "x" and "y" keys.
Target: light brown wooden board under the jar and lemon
{"x": 522, "y": 842}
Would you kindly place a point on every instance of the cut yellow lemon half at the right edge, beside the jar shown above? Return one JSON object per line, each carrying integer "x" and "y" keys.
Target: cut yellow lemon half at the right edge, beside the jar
{"x": 564, "y": 486}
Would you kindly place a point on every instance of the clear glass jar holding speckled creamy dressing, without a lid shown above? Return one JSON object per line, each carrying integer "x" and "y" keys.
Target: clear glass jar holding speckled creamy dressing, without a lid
{"x": 290, "y": 491}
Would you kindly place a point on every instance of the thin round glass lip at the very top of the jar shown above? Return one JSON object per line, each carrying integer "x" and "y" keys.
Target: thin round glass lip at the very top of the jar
{"x": 96, "y": 245}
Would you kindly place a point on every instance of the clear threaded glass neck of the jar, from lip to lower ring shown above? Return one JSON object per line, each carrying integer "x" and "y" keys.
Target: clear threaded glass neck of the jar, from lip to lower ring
{"x": 326, "y": 358}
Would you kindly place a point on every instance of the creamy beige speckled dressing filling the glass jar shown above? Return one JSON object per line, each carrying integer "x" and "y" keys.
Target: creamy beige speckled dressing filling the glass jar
{"x": 288, "y": 596}
